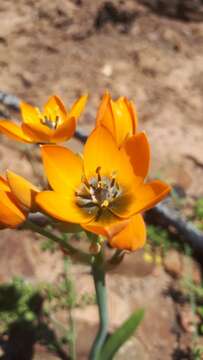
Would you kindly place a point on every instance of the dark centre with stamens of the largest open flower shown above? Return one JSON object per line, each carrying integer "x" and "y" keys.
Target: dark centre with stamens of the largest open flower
{"x": 98, "y": 193}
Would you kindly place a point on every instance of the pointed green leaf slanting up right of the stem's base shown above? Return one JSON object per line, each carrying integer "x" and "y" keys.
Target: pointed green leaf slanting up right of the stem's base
{"x": 121, "y": 335}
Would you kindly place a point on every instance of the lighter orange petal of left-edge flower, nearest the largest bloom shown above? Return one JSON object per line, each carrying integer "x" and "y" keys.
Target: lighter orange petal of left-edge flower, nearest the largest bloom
{"x": 23, "y": 190}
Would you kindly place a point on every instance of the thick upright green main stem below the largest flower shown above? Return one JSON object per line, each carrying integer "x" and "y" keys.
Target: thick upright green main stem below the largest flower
{"x": 101, "y": 296}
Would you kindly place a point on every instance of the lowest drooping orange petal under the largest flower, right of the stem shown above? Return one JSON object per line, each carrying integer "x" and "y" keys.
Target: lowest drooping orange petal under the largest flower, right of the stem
{"x": 131, "y": 237}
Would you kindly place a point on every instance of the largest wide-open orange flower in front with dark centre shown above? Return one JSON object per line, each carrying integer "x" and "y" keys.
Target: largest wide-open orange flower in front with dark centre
{"x": 105, "y": 188}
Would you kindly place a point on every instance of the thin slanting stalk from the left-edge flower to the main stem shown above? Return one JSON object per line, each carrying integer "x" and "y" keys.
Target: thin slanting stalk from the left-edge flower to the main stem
{"x": 60, "y": 241}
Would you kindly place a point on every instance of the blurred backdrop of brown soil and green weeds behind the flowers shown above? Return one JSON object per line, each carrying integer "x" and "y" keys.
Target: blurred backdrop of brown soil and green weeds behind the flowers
{"x": 152, "y": 52}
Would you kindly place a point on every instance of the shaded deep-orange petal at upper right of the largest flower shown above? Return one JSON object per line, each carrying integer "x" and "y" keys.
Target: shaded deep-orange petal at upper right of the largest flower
{"x": 138, "y": 150}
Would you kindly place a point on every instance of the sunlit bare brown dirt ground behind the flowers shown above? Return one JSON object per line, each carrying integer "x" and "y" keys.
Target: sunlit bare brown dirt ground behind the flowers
{"x": 72, "y": 47}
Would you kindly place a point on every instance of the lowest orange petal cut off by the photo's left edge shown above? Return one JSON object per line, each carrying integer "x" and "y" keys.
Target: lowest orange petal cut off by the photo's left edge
{"x": 11, "y": 214}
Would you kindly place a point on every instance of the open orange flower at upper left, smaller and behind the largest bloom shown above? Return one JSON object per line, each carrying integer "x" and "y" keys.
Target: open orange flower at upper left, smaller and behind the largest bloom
{"x": 53, "y": 125}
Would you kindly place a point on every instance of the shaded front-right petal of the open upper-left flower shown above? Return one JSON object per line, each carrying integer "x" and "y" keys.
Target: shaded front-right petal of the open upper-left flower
{"x": 64, "y": 131}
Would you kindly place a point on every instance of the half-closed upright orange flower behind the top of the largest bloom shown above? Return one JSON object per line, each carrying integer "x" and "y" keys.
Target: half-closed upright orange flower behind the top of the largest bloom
{"x": 119, "y": 117}
